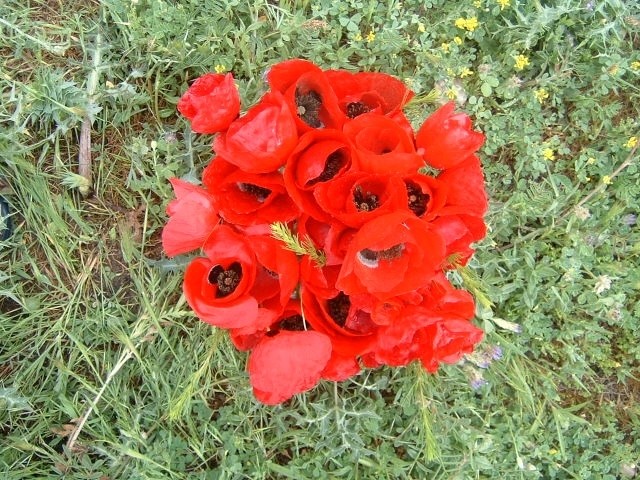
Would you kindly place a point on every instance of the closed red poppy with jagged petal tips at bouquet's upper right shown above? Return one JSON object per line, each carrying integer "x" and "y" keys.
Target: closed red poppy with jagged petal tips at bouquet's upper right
{"x": 447, "y": 139}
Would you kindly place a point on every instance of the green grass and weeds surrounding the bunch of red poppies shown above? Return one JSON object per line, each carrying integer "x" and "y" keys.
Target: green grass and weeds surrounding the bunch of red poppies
{"x": 105, "y": 372}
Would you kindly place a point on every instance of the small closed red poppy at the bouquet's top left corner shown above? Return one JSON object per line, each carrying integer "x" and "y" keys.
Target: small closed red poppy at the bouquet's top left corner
{"x": 211, "y": 103}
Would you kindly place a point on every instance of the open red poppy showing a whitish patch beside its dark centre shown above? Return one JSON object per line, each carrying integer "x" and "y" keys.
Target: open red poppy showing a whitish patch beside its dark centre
{"x": 391, "y": 255}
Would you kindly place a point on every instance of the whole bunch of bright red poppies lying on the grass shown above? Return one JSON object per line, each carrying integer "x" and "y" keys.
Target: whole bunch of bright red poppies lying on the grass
{"x": 328, "y": 226}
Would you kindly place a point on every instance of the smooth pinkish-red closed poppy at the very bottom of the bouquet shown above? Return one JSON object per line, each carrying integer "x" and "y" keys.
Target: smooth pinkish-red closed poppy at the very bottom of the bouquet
{"x": 287, "y": 364}
